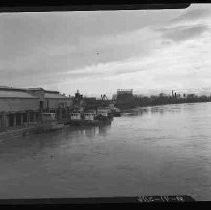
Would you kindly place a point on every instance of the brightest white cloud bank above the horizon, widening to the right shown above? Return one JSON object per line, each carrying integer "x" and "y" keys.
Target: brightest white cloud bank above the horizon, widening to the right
{"x": 177, "y": 66}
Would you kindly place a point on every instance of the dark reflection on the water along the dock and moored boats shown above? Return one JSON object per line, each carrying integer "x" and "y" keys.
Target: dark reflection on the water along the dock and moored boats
{"x": 35, "y": 144}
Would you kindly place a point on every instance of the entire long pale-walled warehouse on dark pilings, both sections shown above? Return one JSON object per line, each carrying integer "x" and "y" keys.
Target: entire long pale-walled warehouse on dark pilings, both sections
{"x": 21, "y": 107}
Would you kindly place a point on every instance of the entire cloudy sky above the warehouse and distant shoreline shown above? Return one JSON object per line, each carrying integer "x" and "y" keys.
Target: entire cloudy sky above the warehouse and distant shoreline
{"x": 99, "y": 52}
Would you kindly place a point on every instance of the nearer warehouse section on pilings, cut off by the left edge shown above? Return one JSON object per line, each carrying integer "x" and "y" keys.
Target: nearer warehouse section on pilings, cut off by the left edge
{"x": 17, "y": 108}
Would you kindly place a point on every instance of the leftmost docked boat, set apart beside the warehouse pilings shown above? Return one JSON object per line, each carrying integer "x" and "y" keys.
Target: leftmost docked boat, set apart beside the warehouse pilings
{"x": 49, "y": 123}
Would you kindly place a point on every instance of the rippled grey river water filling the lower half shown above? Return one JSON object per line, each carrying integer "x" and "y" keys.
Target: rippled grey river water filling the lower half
{"x": 158, "y": 150}
